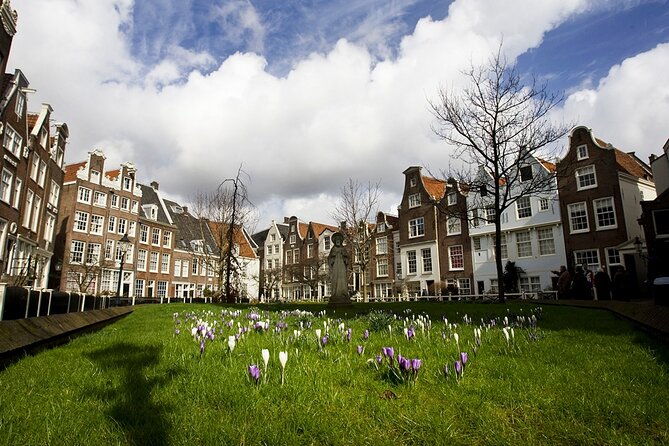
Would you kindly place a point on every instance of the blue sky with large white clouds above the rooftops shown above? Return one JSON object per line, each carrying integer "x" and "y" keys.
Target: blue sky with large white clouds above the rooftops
{"x": 305, "y": 95}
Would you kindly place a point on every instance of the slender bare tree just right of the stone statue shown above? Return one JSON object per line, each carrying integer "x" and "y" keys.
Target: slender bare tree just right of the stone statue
{"x": 357, "y": 206}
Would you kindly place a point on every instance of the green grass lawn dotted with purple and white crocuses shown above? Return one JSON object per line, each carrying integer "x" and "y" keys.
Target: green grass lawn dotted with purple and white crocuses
{"x": 580, "y": 377}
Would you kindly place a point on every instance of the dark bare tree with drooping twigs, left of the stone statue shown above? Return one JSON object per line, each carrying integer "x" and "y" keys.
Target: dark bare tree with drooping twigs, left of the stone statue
{"x": 222, "y": 216}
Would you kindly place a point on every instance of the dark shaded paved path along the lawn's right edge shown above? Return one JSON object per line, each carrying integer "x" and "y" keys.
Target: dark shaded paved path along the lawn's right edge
{"x": 644, "y": 312}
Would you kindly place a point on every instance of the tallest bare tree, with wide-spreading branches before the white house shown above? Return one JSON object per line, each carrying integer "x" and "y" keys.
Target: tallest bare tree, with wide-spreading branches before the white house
{"x": 496, "y": 125}
